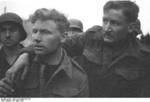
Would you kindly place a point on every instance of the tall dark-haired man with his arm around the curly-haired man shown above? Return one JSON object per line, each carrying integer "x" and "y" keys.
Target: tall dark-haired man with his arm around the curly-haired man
{"x": 116, "y": 63}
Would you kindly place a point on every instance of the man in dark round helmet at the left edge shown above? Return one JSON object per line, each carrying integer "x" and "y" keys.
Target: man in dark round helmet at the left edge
{"x": 11, "y": 34}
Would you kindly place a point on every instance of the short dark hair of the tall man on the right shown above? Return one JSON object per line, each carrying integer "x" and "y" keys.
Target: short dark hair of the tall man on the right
{"x": 130, "y": 9}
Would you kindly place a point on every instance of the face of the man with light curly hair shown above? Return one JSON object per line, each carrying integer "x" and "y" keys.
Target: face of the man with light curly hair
{"x": 46, "y": 37}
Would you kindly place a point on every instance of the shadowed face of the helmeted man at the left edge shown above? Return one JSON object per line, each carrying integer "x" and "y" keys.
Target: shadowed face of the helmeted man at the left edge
{"x": 10, "y": 34}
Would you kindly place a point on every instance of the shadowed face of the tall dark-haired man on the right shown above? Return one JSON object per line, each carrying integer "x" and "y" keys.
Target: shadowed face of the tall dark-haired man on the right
{"x": 115, "y": 26}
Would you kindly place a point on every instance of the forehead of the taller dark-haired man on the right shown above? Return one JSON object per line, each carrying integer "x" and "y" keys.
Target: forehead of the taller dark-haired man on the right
{"x": 114, "y": 14}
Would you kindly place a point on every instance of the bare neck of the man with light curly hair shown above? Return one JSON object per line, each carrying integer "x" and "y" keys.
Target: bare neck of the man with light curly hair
{"x": 53, "y": 58}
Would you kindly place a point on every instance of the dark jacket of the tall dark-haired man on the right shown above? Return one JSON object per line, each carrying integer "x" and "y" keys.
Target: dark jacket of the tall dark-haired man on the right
{"x": 113, "y": 71}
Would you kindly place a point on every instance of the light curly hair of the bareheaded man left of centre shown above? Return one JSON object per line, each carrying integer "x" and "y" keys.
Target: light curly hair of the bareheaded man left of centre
{"x": 51, "y": 14}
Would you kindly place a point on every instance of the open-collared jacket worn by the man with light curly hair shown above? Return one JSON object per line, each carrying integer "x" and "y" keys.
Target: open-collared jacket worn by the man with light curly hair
{"x": 69, "y": 80}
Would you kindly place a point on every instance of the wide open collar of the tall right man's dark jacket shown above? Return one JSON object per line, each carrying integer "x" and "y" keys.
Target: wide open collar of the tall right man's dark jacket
{"x": 130, "y": 47}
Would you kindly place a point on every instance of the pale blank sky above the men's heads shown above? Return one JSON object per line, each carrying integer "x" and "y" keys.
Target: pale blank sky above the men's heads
{"x": 90, "y": 12}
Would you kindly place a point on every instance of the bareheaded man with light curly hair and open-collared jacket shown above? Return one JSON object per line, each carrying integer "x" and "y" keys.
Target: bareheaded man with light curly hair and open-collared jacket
{"x": 52, "y": 73}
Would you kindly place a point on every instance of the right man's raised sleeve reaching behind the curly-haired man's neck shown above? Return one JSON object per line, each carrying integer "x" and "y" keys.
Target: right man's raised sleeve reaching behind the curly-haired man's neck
{"x": 75, "y": 44}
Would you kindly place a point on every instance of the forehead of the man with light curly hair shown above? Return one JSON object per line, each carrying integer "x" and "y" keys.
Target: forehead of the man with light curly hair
{"x": 46, "y": 24}
